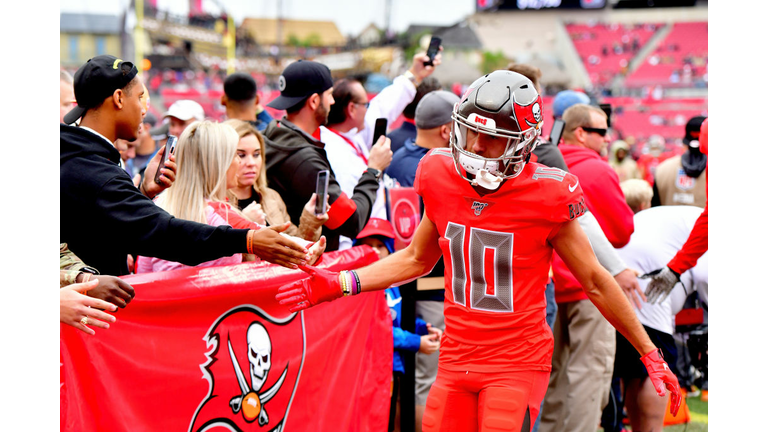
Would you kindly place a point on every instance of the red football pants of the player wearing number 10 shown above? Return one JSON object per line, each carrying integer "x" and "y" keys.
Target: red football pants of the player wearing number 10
{"x": 475, "y": 401}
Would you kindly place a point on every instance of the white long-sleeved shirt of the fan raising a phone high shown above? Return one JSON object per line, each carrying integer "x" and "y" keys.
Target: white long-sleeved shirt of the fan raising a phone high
{"x": 345, "y": 161}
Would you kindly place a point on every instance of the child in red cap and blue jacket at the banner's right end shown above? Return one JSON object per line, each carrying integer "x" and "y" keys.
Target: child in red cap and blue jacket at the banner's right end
{"x": 380, "y": 235}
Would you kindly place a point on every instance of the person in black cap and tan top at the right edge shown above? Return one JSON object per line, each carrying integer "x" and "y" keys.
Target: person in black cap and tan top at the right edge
{"x": 682, "y": 180}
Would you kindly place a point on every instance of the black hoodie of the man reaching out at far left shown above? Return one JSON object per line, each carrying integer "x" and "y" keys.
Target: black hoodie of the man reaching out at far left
{"x": 104, "y": 217}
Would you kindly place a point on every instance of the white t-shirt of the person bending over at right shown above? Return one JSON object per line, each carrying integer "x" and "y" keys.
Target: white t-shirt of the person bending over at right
{"x": 659, "y": 233}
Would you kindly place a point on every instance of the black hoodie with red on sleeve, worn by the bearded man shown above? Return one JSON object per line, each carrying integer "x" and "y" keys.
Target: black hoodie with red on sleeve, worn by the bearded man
{"x": 293, "y": 161}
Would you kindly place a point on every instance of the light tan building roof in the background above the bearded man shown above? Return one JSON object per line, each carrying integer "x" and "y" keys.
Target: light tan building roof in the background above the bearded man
{"x": 264, "y": 31}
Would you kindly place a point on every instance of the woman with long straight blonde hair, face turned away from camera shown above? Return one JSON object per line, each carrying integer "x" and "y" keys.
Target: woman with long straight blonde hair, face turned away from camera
{"x": 207, "y": 165}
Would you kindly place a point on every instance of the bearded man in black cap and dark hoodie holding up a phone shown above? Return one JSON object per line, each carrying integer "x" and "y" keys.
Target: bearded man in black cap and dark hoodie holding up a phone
{"x": 295, "y": 154}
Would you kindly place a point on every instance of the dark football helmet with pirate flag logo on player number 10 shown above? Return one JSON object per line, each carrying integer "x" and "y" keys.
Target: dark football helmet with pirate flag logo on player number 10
{"x": 502, "y": 104}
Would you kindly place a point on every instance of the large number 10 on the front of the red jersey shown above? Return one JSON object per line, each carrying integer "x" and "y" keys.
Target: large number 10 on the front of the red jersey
{"x": 482, "y": 245}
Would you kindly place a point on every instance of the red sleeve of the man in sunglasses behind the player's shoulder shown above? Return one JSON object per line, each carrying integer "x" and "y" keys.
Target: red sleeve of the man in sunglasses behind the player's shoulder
{"x": 606, "y": 201}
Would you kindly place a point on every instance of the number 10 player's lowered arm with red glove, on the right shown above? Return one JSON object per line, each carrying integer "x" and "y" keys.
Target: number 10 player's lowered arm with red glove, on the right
{"x": 573, "y": 247}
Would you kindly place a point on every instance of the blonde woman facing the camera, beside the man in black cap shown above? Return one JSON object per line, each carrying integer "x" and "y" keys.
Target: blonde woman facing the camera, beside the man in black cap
{"x": 260, "y": 203}
